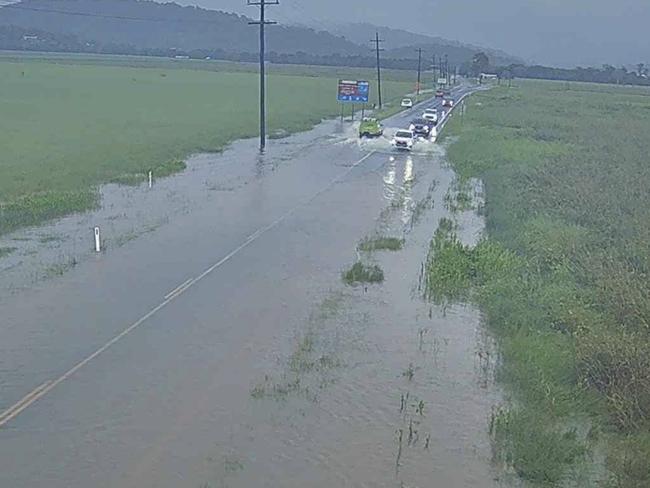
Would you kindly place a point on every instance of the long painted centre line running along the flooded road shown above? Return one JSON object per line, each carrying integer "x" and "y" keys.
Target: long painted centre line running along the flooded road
{"x": 38, "y": 393}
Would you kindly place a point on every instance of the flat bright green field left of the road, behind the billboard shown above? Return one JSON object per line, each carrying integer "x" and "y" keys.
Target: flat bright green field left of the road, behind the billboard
{"x": 71, "y": 123}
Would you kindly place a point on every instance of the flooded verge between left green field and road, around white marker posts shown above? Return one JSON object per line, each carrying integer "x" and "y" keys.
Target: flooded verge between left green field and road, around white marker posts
{"x": 128, "y": 212}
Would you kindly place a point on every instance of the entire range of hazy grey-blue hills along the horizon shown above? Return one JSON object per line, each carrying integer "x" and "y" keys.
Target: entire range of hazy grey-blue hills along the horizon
{"x": 164, "y": 29}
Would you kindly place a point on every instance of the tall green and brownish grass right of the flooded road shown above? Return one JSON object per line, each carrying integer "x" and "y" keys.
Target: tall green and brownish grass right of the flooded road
{"x": 563, "y": 275}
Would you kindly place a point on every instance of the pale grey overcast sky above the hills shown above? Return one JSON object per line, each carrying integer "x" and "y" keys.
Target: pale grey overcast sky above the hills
{"x": 557, "y": 32}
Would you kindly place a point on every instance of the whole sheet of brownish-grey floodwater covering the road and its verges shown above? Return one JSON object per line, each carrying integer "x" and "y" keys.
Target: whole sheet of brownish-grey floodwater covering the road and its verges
{"x": 221, "y": 348}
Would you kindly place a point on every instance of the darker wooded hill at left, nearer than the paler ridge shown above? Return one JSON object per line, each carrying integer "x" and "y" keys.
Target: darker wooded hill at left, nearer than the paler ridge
{"x": 145, "y": 25}
